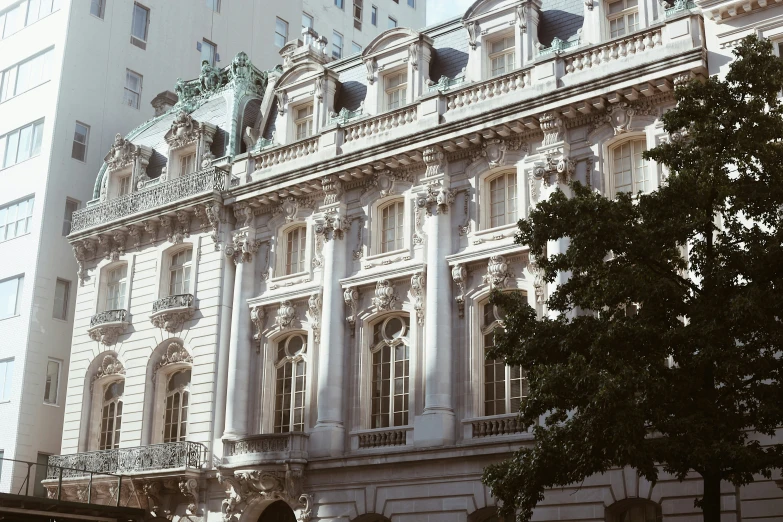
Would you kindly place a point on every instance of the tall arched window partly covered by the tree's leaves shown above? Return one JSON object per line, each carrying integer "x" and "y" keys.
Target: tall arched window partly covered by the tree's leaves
{"x": 504, "y": 386}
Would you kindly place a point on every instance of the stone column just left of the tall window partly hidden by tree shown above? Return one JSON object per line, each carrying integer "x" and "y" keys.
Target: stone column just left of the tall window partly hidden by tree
{"x": 436, "y": 425}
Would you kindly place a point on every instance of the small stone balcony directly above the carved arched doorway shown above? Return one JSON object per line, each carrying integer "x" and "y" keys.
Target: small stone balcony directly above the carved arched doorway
{"x": 268, "y": 448}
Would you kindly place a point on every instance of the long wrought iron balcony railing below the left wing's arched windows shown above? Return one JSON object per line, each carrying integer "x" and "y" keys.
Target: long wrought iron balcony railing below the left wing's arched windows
{"x": 157, "y": 457}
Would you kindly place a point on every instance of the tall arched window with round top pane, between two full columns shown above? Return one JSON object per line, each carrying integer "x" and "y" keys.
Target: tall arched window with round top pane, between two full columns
{"x": 390, "y": 372}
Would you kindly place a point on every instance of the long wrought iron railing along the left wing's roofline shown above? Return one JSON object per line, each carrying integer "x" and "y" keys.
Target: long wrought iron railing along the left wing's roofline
{"x": 151, "y": 197}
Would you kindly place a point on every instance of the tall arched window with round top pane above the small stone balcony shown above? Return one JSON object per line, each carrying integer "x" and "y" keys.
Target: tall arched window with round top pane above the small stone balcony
{"x": 290, "y": 381}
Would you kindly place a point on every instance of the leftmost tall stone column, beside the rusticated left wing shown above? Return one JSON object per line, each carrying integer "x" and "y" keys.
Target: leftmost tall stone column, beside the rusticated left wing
{"x": 241, "y": 250}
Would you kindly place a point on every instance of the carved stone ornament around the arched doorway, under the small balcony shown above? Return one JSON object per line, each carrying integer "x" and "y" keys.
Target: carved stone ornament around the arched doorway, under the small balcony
{"x": 245, "y": 487}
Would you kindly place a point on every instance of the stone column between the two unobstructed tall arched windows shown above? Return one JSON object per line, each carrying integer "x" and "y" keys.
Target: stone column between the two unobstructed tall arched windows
{"x": 328, "y": 436}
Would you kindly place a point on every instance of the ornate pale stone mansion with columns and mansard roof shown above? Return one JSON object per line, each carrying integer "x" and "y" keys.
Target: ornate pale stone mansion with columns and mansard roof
{"x": 286, "y": 317}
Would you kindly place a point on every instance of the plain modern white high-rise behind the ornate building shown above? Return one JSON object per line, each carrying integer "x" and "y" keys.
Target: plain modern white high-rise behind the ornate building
{"x": 73, "y": 74}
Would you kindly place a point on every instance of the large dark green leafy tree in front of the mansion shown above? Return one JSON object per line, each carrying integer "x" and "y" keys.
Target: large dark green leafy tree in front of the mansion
{"x": 690, "y": 273}
